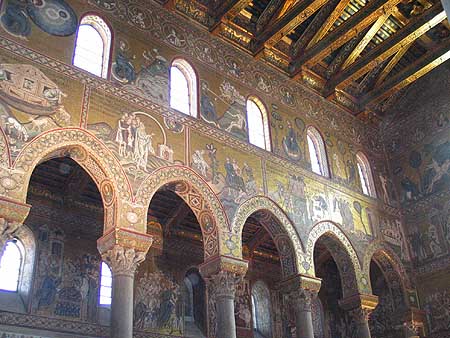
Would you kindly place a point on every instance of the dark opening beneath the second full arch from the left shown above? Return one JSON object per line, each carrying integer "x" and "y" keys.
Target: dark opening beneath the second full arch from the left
{"x": 169, "y": 292}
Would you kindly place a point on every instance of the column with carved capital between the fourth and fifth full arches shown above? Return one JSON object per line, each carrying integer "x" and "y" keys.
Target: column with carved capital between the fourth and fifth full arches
{"x": 359, "y": 307}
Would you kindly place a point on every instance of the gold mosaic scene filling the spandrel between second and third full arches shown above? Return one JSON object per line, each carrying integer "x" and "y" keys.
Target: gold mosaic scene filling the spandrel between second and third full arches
{"x": 235, "y": 176}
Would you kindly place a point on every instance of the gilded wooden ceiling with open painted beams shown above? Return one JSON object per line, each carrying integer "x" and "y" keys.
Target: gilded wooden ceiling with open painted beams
{"x": 357, "y": 53}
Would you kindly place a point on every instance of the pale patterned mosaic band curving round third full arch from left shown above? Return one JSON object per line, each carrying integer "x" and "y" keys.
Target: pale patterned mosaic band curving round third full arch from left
{"x": 287, "y": 234}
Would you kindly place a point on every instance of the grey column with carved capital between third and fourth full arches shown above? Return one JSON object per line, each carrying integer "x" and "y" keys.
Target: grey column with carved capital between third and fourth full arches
{"x": 300, "y": 291}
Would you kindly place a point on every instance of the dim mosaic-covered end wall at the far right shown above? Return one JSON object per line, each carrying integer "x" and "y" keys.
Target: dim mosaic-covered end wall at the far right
{"x": 419, "y": 151}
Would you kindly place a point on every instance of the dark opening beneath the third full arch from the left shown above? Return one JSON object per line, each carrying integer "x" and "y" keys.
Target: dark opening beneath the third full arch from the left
{"x": 259, "y": 302}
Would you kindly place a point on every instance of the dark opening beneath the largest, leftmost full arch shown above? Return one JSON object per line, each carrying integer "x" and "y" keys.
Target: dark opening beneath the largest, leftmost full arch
{"x": 66, "y": 219}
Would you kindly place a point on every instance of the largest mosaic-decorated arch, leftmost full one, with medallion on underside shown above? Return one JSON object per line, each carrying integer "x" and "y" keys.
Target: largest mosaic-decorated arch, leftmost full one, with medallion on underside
{"x": 89, "y": 153}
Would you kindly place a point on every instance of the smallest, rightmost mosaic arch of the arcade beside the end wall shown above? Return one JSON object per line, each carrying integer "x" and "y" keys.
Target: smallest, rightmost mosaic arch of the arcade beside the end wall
{"x": 389, "y": 263}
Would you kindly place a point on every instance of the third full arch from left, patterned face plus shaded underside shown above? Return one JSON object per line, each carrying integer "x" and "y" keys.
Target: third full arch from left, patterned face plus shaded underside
{"x": 278, "y": 225}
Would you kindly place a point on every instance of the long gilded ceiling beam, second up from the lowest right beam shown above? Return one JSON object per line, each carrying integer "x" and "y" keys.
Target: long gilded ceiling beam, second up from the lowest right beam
{"x": 405, "y": 36}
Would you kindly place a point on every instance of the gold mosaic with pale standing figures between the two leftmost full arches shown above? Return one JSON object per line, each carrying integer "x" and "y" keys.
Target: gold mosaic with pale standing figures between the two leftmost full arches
{"x": 142, "y": 141}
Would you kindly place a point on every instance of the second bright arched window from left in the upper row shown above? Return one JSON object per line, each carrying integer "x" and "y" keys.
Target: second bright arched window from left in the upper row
{"x": 183, "y": 87}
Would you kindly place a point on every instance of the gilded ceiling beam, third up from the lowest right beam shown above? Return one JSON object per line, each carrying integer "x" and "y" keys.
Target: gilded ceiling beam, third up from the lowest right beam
{"x": 343, "y": 33}
